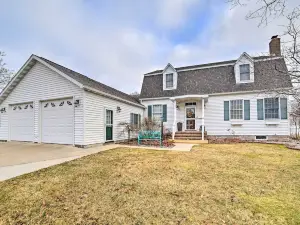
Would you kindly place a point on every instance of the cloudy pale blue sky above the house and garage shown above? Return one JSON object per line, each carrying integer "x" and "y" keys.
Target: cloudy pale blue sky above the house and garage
{"x": 117, "y": 41}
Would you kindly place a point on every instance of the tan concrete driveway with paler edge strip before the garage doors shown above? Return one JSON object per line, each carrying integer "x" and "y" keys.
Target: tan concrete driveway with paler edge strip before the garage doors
{"x": 17, "y": 158}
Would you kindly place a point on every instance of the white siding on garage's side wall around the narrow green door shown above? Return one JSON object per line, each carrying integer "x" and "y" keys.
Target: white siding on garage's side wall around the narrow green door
{"x": 94, "y": 117}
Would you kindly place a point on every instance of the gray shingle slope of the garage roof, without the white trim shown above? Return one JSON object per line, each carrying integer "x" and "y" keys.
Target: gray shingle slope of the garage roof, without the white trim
{"x": 88, "y": 82}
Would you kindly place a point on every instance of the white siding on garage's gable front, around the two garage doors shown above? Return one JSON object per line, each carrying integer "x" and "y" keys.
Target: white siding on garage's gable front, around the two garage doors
{"x": 41, "y": 83}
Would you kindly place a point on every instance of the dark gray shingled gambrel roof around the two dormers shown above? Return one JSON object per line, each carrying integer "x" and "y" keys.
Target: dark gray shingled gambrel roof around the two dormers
{"x": 217, "y": 78}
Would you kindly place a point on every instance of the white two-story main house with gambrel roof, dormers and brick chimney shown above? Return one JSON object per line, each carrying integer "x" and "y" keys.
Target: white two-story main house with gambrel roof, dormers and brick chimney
{"x": 222, "y": 99}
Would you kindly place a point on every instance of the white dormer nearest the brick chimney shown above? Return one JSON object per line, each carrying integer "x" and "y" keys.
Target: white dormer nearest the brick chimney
{"x": 244, "y": 69}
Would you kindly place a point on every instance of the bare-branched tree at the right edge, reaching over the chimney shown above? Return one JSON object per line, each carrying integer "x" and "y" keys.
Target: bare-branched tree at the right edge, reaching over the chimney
{"x": 266, "y": 11}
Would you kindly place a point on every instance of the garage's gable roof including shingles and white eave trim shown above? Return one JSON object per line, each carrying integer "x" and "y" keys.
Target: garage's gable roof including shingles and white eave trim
{"x": 77, "y": 78}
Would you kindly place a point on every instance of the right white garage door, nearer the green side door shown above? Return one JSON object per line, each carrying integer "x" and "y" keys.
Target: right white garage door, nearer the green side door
{"x": 57, "y": 121}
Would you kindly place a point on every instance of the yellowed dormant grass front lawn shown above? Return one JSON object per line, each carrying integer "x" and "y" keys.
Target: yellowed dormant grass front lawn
{"x": 213, "y": 184}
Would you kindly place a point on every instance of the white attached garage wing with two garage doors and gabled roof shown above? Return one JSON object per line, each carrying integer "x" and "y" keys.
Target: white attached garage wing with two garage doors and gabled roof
{"x": 48, "y": 103}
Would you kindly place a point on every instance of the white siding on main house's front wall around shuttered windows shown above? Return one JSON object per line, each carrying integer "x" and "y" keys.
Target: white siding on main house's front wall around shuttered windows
{"x": 214, "y": 116}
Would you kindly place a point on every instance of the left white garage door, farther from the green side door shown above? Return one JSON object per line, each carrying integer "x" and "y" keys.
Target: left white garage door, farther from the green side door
{"x": 21, "y": 122}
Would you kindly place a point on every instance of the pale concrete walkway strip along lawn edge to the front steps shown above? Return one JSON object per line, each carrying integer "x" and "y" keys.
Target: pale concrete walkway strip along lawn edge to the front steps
{"x": 7, "y": 172}
